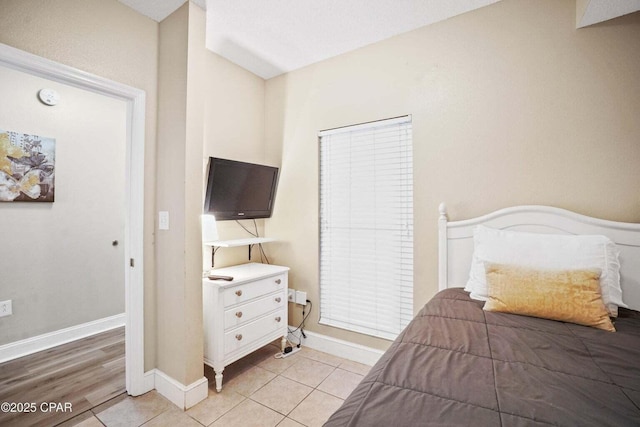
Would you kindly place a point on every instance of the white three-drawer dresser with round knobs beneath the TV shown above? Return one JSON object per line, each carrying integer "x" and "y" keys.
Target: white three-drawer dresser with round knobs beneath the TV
{"x": 244, "y": 314}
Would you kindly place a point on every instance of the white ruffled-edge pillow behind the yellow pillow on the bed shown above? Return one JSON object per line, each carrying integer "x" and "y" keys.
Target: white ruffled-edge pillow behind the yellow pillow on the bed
{"x": 546, "y": 251}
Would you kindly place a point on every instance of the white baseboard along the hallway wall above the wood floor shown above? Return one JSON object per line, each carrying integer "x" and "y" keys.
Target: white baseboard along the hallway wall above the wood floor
{"x": 52, "y": 339}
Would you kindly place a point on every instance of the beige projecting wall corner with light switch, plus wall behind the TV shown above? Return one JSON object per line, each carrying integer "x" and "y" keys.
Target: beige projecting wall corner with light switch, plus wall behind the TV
{"x": 207, "y": 107}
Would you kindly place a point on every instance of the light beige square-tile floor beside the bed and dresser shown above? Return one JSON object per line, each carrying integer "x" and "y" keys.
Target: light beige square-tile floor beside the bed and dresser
{"x": 258, "y": 390}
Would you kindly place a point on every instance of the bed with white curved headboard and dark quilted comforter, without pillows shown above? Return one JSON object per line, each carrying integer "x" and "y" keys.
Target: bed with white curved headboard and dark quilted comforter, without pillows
{"x": 457, "y": 364}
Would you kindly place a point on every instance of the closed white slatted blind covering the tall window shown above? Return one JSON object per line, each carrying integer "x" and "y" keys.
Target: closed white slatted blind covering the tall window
{"x": 366, "y": 227}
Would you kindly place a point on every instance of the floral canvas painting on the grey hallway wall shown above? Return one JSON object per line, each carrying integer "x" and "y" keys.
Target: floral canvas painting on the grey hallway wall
{"x": 27, "y": 167}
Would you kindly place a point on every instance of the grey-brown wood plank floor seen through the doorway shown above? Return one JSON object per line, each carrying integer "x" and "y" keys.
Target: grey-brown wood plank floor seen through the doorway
{"x": 76, "y": 376}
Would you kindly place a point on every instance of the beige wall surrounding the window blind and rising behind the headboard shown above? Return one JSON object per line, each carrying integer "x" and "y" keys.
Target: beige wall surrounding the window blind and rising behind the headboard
{"x": 511, "y": 105}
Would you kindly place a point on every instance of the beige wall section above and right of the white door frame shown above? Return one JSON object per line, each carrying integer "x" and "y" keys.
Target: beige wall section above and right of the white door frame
{"x": 110, "y": 40}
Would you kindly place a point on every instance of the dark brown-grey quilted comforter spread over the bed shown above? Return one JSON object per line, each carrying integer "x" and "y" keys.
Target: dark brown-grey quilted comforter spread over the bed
{"x": 456, "y": 364}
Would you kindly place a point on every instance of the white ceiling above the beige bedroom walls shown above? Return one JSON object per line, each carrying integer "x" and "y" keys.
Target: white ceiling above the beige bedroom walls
{"x": 273, "y": 37}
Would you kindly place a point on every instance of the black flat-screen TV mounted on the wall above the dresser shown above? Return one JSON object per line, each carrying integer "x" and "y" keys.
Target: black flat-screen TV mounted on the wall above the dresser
{"x": 239, "y": 190}
